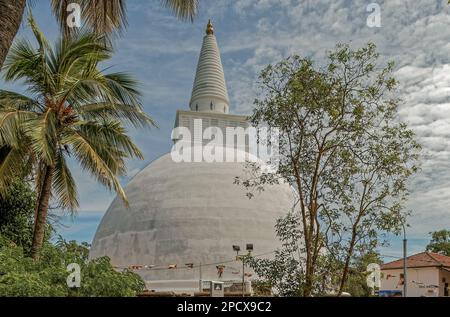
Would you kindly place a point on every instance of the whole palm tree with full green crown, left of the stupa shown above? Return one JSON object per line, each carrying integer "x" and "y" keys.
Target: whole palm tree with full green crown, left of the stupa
{"x": 73, "y": 110}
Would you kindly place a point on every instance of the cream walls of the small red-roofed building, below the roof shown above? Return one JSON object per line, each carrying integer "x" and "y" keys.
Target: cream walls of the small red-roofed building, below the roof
{"x": 421, "y": 281}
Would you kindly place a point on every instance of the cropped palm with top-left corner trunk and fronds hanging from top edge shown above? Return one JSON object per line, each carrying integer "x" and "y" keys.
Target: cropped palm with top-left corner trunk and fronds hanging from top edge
{"x": 101, "y": 16}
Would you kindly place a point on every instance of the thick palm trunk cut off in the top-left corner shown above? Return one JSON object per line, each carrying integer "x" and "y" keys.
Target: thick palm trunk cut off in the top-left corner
{"x": 11, "y": 12}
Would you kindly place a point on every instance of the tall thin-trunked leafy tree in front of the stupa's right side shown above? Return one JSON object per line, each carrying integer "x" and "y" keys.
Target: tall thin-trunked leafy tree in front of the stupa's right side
{"x": 342, "y": 148}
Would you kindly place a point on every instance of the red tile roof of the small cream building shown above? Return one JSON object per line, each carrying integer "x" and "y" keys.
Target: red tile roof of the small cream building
{"x": 424, "y": 259}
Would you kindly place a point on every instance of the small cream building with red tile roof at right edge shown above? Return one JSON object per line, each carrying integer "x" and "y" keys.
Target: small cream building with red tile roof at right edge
{"x": 428, "y": 275}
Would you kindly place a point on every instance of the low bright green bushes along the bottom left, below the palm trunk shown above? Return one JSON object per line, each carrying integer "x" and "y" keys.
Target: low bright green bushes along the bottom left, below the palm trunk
{"x": 22, "y": 276}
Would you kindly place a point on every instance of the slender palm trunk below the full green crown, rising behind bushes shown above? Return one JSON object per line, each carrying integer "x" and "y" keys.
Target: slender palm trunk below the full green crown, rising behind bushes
{"x": 41, "y": 215}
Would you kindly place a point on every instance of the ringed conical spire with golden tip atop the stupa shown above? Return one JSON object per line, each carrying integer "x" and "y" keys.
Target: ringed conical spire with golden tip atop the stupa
{"x": 209, "y": 93}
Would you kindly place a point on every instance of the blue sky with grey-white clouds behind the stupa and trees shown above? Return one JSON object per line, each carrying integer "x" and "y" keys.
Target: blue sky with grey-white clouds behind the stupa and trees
{"x": 162, "y": 53}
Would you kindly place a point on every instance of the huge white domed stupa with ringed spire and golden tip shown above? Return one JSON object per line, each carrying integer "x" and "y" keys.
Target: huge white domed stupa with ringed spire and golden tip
{"x": 184, "y": 218}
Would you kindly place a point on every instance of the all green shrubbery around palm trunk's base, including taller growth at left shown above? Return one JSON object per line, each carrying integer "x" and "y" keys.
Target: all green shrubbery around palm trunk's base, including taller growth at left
{"x": 22, "y": 276}
